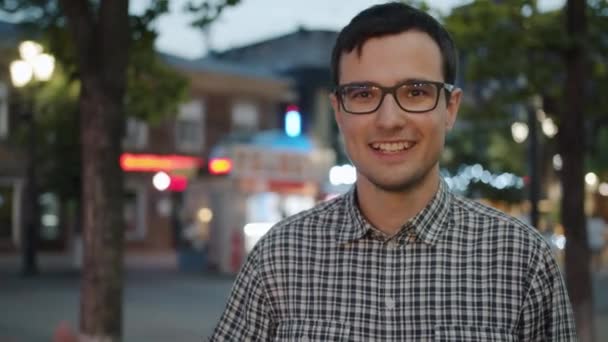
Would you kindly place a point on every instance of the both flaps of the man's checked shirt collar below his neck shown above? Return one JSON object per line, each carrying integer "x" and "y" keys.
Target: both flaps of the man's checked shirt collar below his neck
{"x": 427, "y": 225}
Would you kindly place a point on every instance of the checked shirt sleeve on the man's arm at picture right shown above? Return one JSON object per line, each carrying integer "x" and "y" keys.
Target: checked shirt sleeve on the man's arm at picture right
{"x": 547, "y": 312}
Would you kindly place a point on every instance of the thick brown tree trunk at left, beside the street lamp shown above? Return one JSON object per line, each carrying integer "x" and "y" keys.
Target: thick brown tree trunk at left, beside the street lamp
{"x": 102, "y": 39}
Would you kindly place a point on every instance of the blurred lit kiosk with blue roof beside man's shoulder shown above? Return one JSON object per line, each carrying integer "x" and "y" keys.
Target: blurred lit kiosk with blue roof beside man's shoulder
{"x": 270, "y": 176}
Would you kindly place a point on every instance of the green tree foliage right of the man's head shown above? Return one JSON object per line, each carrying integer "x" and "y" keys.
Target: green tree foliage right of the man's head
{"x": 511, "y": 51}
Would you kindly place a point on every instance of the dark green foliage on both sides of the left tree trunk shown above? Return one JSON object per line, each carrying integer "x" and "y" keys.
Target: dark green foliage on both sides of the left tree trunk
{"x": 154, "y": 89}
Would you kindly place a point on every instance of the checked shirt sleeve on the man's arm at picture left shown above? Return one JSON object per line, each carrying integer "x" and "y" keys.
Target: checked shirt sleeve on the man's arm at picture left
{"x": 247, "y": 316}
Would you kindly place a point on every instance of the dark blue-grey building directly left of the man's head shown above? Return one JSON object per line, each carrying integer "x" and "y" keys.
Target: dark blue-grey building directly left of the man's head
{"x": 303, "y": 56}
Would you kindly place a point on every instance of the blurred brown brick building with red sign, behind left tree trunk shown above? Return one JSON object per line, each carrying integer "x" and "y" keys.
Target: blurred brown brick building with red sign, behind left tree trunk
{"x": 224, "y": 98}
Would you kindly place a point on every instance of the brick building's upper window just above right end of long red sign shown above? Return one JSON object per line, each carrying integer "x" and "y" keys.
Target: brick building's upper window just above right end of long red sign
{"x": 189, "y": 127}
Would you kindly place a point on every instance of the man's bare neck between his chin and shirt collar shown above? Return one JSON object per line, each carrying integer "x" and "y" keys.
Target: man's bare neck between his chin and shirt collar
{"x": 389, "y": 210}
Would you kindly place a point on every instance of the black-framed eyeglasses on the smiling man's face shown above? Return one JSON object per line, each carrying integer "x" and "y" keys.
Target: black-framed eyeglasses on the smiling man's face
{"x": 411, "y": 96}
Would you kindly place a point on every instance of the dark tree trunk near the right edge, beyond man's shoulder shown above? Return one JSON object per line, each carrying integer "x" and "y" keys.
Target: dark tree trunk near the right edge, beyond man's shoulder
{"x": 572, "y": 149}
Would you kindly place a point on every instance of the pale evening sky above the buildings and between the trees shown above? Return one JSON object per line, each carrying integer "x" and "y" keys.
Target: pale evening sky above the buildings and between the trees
{"x": 255, "y": 20}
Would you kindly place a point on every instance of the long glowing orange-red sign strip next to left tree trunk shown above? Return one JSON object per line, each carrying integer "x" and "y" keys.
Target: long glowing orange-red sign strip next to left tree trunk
{"x": 154, "y": 163}
